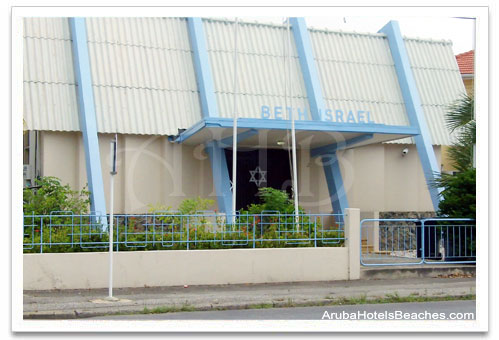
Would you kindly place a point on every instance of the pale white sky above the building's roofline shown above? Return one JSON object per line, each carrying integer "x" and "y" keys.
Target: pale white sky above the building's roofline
{"x": 459, "y": 31}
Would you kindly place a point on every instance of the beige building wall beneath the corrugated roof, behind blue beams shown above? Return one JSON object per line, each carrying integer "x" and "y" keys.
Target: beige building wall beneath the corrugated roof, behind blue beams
{"x": 154, "y": 171}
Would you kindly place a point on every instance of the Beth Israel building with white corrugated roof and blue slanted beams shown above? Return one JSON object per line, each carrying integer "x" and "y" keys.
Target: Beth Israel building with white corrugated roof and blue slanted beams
{"x": 369, "y": 107}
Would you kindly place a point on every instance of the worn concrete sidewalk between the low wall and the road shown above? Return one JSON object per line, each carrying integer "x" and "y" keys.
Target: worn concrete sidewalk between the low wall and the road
{"x": 87, "y": 303}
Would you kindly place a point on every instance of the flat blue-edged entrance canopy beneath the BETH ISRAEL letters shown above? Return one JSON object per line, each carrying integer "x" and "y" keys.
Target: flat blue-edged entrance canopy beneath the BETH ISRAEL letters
{"x": 273, "y": 133}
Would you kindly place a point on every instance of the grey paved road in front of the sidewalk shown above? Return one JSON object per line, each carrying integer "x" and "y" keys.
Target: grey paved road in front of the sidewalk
{"x": 314, "y": 313}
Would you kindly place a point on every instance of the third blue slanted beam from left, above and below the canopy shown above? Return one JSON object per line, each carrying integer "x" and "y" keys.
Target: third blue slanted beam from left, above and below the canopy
{"x": 331, "y": 166}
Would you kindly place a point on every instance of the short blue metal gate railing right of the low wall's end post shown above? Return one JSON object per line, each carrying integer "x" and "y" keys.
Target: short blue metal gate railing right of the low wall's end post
{"x": 389, "y": 242}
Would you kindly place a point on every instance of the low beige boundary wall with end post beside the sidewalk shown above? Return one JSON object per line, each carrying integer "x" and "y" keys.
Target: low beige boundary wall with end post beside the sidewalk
{"x": 197, "y": 267}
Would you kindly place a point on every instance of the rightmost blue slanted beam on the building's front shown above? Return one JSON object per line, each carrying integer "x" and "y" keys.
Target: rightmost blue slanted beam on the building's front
{"x": 413, "y": 107}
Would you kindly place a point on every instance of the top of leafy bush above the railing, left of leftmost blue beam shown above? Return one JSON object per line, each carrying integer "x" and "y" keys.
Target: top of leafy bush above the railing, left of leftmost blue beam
{"x": 50, "y": 195}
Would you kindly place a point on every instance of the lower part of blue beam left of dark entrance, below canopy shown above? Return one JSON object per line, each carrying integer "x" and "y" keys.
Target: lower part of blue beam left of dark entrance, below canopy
{"x": 221, "y": 178}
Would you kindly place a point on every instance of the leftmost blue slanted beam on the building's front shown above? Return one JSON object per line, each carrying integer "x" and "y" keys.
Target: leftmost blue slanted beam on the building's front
{"x": 86, "y": 109}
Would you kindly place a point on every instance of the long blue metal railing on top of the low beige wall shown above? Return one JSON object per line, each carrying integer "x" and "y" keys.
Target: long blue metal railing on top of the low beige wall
{"x": 68, "y": 232}
